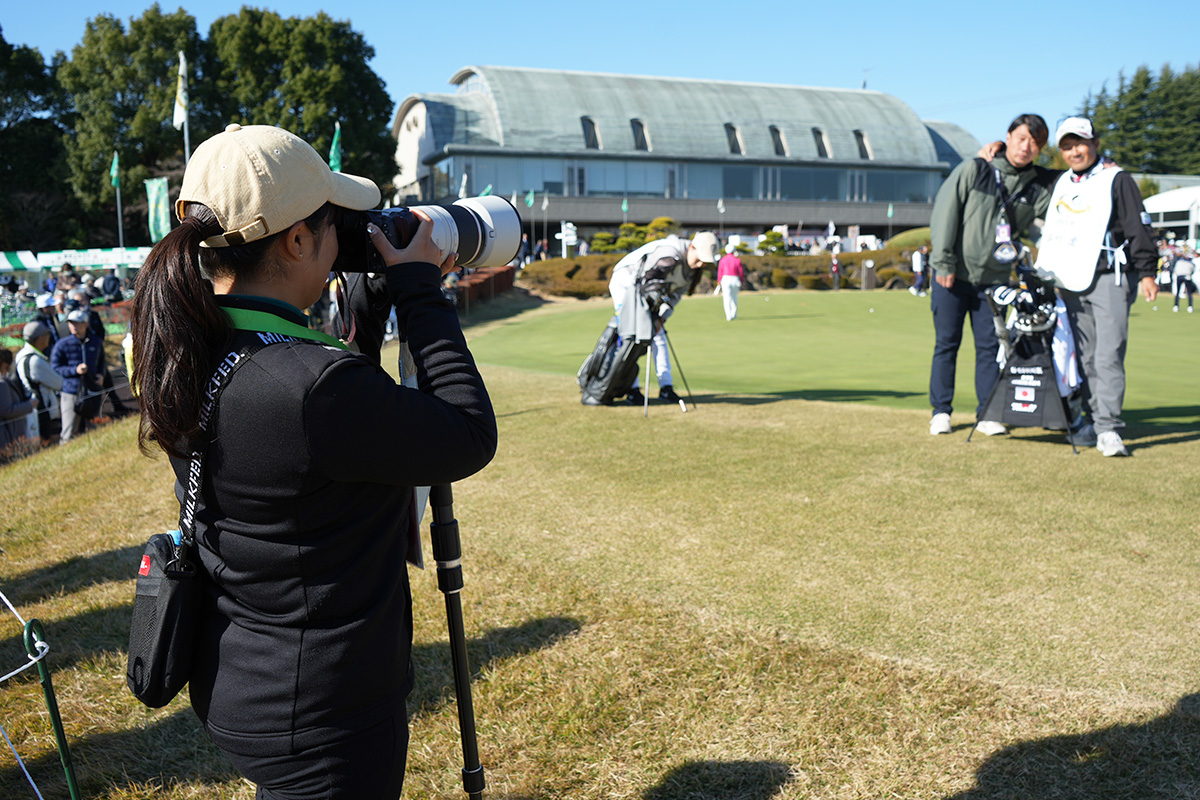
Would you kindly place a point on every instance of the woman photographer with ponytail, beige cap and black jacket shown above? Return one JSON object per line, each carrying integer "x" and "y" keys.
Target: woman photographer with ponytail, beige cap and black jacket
{"x": 303, "y": 654}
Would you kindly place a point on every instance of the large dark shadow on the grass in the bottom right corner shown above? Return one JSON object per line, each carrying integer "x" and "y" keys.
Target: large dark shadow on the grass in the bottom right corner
{"x": 1157, "y": 760}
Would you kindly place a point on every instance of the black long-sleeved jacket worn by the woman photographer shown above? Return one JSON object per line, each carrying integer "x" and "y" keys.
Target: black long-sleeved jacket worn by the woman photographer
{"x": 305, "y": 520}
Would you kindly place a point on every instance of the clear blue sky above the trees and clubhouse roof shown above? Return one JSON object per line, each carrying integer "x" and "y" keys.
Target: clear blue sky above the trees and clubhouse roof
{"x": 973, "y": 64}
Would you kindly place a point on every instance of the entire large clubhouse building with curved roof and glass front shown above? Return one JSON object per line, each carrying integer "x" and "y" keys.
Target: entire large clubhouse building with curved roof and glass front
{"x": 603, "y": 149}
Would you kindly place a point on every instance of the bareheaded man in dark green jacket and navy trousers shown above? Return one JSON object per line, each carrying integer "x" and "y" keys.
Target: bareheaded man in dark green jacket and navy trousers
{"x": 980, "y": 215}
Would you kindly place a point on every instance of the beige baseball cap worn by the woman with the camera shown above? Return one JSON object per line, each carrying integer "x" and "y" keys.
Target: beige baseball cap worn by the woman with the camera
{"x": 261, "y": 181}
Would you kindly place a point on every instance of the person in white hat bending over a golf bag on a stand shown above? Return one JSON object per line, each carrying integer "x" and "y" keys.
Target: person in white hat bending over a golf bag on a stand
{"x": 671, "y": 267}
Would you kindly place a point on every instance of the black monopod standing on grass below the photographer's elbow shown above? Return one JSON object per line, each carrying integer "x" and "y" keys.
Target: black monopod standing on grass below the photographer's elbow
{"x": 448, "y": 554}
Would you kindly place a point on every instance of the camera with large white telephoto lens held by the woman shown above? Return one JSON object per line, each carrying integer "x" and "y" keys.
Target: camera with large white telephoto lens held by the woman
{"x": 483, "y": 231}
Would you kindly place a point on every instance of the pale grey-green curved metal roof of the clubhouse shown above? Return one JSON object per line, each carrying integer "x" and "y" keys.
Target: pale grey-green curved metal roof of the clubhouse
{"x": 541, "y": 111}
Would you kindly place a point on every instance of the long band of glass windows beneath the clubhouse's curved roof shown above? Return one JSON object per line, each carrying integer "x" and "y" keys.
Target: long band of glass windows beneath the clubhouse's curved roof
{"x": 640, "y": 178}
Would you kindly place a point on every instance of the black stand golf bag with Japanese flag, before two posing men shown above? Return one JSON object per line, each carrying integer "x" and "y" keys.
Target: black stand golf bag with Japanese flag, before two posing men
{"x": 1028, "y": 392}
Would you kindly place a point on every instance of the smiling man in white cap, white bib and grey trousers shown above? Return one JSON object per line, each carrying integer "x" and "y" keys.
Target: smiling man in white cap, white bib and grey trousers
{"x": 1099, "y": 249}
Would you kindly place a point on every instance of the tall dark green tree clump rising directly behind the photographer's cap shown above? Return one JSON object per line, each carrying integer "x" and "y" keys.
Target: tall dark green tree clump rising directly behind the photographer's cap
{"x": 256, "y": 68}
